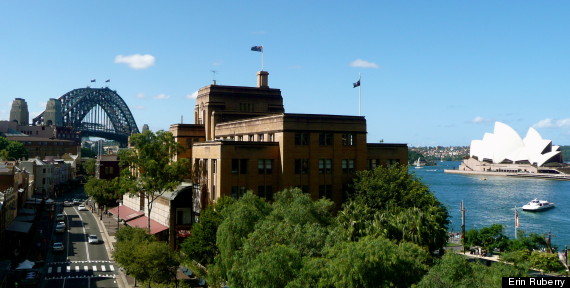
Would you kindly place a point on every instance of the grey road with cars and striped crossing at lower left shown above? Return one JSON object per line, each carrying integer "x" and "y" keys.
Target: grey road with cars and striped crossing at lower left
{"x": 80, "y": 264}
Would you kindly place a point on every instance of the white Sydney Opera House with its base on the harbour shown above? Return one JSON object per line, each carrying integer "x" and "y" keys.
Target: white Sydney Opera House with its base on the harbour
{"x": 504, "y": 151}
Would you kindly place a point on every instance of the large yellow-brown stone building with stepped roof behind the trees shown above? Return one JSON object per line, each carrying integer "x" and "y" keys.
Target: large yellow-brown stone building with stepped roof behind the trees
{"x": 243, "y": 140}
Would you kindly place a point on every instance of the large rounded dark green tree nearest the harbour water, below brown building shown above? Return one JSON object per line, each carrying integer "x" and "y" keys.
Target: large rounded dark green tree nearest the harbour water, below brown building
{"x": 402, "y": 207}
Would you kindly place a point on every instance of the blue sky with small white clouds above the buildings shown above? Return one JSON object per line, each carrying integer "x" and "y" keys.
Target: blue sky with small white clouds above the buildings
{"x": 433, "y": 72}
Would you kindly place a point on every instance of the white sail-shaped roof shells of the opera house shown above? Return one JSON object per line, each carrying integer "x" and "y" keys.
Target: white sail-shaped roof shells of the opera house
{"x": 505, "y": 145}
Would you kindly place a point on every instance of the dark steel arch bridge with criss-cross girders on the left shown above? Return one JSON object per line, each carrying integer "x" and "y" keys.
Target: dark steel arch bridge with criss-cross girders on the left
{"x": 97, "y": 112}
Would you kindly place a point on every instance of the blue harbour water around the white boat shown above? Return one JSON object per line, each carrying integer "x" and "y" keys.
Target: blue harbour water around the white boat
{"x": 492, "y": 199}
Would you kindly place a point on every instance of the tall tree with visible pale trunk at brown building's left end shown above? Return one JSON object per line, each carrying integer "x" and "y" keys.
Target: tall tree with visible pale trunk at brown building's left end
{"x": 151, "y": 169}
